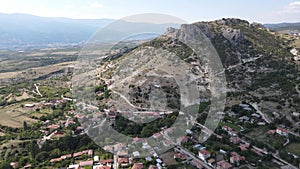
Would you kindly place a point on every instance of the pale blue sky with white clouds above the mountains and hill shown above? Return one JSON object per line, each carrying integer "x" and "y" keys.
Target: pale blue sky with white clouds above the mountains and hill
{"x": 262, "y": 11}
